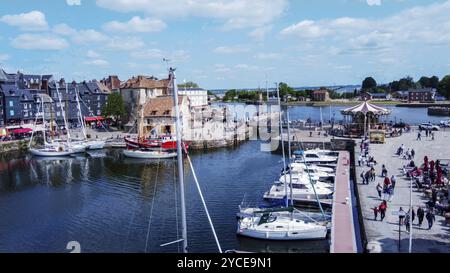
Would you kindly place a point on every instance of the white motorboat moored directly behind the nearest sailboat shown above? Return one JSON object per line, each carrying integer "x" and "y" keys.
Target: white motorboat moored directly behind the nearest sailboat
{"x": 299, "y": 192}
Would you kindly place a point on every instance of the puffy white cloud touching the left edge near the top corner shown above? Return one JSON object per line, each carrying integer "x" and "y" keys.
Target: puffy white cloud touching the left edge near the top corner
{"x": 31, "y": 21}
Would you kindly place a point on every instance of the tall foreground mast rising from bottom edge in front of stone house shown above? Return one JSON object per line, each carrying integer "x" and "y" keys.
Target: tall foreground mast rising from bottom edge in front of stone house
{"x": 180, "y": 159}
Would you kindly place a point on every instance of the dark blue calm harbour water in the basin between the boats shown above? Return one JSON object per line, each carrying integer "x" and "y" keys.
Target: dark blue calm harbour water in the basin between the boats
{"x": 109, "y": 203}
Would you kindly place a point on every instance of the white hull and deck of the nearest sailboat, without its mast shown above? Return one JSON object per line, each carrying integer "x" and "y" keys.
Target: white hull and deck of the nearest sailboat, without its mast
{"x": 269, "y": 226}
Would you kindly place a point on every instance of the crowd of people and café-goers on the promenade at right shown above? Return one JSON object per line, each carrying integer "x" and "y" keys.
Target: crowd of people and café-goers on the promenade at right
{"x": 429, "y": 178}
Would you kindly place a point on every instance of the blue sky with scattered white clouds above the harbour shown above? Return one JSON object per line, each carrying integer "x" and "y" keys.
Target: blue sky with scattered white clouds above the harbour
{"x": 224, "y": 44}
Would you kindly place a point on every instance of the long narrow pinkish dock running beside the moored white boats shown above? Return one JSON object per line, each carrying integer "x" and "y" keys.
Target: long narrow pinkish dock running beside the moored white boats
{"x": 343, "y": 233}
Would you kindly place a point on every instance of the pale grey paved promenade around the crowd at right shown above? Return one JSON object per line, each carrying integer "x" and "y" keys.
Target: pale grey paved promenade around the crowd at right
{"x": 384, "y": 236}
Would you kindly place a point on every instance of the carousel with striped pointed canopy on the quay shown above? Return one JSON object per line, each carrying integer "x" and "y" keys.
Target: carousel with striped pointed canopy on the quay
{"x": 364, "y": 120}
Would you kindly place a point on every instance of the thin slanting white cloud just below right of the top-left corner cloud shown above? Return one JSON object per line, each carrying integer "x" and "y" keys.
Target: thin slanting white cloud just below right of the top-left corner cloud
{"x": 80, "y": 36}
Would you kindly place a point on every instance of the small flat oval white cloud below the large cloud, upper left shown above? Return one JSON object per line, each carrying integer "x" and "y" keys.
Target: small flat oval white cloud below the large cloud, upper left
{"x": 136, "y": 24}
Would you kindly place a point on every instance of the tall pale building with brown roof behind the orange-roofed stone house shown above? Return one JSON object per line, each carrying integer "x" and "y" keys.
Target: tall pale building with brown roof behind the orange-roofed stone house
{"x": 138, "y": 90}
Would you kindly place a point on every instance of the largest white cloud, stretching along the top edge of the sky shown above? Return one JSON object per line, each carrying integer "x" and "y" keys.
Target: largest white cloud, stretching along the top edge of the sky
{"x": 234, "y": 13}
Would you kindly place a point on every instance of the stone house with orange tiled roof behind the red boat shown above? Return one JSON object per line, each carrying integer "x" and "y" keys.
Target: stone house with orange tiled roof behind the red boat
{"x": 159, "y": 115}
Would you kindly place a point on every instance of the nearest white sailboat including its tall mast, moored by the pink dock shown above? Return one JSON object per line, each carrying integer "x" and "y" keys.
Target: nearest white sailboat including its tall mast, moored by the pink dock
{"x": 269, "y": 225}
